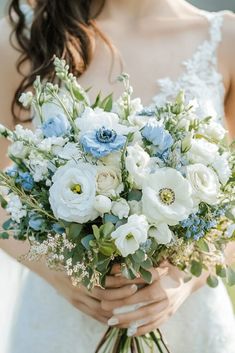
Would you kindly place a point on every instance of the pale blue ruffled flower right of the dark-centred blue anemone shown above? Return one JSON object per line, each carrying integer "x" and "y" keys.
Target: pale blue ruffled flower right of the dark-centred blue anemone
{"x": 159, "y": 137}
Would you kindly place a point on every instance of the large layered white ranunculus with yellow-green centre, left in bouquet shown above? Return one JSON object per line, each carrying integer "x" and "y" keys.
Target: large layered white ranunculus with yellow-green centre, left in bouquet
{"x": 72, "y": 194}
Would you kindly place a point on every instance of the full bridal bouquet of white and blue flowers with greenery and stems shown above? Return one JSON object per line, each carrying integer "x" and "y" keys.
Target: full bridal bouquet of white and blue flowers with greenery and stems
{"x": 102, "y": 183}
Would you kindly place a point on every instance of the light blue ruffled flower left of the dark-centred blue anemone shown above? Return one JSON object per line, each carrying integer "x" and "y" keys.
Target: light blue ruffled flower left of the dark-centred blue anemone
{"x": 56, "y": 126}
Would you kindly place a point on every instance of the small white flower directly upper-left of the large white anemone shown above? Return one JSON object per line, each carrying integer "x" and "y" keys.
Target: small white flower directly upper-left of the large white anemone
{"x": 137, "y": 161}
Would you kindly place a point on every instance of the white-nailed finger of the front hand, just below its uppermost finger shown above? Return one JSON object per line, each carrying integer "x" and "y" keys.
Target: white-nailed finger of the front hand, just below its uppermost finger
{"x": 149, "y": 313}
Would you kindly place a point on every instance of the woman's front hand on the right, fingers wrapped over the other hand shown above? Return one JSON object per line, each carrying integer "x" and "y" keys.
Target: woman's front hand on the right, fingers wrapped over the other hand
{"x": 153, "y": 305}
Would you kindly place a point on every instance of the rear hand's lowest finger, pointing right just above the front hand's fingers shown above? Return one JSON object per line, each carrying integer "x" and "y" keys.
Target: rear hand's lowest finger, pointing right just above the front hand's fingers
{"x": 115, "y": 294}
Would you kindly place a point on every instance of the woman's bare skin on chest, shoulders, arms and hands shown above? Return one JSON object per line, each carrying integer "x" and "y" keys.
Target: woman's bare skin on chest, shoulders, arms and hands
{"x": 165, "y": 25}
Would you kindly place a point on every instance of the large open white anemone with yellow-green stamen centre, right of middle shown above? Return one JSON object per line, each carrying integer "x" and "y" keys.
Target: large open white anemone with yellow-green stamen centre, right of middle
{"x": 167, "y": 197}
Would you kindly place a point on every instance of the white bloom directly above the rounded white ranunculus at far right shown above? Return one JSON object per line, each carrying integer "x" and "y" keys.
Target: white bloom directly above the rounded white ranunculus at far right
{"x": 202, "y": 151}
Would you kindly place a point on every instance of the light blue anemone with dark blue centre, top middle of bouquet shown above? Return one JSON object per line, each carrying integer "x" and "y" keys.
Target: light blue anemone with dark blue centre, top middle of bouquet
{"x": 102, "y": 142}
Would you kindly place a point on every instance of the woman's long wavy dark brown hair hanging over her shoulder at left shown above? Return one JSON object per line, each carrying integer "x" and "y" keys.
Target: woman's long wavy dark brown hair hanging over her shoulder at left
{"x": 65, "y": 28}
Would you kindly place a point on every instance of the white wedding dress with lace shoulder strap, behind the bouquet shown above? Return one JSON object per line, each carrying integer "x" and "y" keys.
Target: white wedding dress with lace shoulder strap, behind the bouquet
{"x": 34, "y": 318}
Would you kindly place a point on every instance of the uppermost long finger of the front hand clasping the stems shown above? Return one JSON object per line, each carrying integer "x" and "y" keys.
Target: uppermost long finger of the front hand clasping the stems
{"x": 153, "y": 292}
